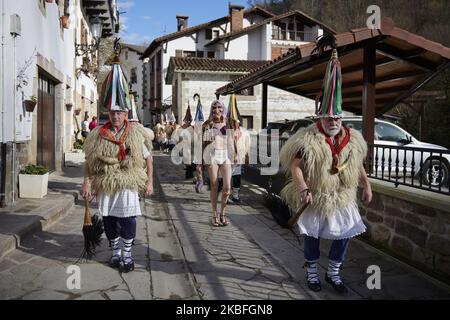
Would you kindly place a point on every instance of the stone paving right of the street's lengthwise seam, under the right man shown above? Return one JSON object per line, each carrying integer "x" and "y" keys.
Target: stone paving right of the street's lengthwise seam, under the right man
{"x": 255, "y": 258}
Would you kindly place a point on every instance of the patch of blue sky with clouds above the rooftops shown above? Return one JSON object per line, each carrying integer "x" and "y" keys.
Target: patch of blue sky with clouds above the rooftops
{"x": 145, "y": 20}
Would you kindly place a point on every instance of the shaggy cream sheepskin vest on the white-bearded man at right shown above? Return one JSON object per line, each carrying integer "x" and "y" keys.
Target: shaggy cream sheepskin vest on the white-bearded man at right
{"x": 330, "y": 192}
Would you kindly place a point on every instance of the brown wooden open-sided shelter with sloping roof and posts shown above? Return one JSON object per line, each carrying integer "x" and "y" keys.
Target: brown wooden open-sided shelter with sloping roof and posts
{"x": 380, "y": 68}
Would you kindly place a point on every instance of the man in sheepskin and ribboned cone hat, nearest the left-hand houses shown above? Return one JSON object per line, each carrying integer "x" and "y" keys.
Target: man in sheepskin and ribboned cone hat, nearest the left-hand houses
{"x": 118, "y": 165}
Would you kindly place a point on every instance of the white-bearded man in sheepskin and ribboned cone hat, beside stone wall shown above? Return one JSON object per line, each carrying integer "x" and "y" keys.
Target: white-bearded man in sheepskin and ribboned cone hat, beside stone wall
{"x": 325, "y": 163}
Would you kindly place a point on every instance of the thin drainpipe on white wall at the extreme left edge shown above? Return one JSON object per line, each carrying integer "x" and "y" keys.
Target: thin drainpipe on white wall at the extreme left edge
{"x": 4, "y": 145}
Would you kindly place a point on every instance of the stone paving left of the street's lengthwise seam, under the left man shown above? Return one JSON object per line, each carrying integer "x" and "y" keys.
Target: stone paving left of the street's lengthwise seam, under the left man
{"x": 37, "y": 269}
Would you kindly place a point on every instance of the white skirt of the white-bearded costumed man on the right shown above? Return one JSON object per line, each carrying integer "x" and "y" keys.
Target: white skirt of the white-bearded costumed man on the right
{"x": 346, "y": 223}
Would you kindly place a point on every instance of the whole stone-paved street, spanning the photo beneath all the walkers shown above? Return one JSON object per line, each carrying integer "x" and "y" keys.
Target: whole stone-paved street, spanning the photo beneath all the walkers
{"x": 179, "y": 255}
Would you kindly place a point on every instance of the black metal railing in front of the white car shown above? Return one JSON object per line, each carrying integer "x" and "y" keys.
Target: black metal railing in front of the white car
{"x": 421, "y": 168}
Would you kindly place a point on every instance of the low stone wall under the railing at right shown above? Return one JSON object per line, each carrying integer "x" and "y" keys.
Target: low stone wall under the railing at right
{"x": 415, "y": 227}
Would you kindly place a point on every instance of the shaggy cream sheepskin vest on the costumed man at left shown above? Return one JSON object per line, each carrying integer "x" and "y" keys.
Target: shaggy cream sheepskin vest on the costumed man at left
{"x": 107, "y": 173}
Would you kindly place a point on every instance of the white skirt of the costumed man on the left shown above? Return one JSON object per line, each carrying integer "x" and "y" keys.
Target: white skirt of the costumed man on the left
{"x": 122, "y": 204}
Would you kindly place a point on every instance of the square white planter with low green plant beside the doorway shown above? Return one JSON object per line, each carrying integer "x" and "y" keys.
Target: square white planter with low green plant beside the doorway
{"x": 33, "y": 181}
